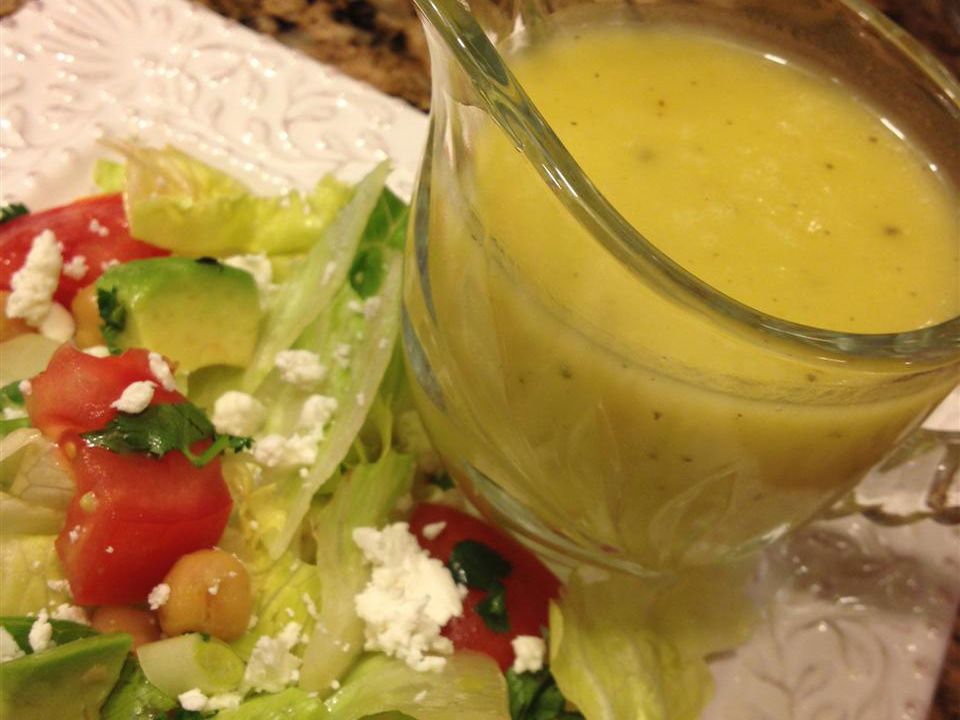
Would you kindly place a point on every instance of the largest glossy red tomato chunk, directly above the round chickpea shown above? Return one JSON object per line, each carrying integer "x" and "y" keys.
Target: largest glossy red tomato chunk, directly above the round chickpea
{"x": 132, "y": 518}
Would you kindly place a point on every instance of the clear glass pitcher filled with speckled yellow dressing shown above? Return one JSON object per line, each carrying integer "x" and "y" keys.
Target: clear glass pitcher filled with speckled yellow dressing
{"x": 603, "y": 396}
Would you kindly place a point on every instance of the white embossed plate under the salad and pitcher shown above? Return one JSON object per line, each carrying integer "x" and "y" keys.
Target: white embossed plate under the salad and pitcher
{"x": 858, "y": 626}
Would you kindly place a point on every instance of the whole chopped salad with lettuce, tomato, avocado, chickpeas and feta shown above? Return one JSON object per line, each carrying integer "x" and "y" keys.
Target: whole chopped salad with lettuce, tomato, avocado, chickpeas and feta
{"x": 216, "y": 498}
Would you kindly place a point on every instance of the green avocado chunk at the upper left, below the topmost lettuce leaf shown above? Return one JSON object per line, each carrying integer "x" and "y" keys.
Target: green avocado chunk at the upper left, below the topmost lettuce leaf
{"x": 197, "y": 312}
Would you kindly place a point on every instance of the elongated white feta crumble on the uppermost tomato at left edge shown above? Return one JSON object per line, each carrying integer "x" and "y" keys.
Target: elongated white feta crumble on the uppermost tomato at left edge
{"x": 33, "y": 285}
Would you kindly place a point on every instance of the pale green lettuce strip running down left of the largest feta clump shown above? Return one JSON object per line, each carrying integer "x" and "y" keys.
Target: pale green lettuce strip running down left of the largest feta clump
{"x": 364, "y": 499}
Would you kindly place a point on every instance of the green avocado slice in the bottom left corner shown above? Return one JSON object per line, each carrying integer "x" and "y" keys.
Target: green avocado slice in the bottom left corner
{"x": 67, "y": 682}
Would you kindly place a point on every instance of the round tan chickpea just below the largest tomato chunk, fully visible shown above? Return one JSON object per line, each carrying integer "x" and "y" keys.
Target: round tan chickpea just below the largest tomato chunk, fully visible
{"x": 209, "y": 593}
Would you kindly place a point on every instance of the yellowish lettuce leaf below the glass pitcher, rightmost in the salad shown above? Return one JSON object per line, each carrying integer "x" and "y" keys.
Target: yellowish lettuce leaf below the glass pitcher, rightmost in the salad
{"x": 623, "y": 647}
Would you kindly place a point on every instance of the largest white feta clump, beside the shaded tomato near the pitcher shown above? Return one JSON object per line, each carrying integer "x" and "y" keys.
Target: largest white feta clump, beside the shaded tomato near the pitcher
{"x": 409, "y": 598}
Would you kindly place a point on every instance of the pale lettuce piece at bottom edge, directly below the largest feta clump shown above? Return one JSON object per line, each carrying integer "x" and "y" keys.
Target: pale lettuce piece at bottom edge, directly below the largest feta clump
{"x": 470, "y": 687}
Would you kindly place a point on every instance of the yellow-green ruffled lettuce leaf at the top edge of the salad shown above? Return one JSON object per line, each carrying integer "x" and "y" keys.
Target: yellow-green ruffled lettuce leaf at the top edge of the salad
{"x": 179, "y": 203}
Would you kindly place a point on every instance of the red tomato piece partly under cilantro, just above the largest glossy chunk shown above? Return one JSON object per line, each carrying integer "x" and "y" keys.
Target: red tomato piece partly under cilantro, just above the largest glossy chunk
{"x": 76, "y": 390}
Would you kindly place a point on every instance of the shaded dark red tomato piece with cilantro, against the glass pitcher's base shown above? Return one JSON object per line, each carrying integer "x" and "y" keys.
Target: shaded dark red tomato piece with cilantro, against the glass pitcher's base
{"x": 529, "y": 586}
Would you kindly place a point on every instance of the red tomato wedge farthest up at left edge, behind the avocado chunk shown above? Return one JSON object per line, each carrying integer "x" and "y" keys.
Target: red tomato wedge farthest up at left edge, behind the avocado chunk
{"x": 94, "y": 227}
